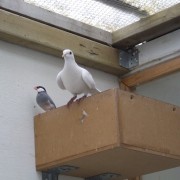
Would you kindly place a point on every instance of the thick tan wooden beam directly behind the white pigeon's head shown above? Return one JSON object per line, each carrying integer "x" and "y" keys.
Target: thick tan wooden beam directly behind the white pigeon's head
{"x": 32, "y": 34}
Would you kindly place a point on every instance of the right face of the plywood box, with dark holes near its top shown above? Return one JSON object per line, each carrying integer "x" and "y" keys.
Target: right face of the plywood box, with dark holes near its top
{"x": 149, "y": 124}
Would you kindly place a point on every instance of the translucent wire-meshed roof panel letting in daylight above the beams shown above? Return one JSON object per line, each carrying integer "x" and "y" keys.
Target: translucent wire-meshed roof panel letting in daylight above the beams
{"x": 108, "y": 15}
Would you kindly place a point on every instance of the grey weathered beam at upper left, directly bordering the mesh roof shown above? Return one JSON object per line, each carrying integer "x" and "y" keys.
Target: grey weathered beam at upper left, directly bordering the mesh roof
{"x": 57, "y": 20}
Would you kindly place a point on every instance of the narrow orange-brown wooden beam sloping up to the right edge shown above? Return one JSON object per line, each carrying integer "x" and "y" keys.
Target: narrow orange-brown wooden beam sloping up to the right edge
{"x": 151, "y": 73}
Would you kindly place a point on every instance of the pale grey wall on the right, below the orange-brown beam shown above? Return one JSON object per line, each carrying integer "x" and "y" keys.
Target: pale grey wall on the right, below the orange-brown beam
{"x": 166, "y": 89}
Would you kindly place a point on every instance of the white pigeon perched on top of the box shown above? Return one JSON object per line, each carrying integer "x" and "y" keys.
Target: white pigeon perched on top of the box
{"x": 74, "y": 78}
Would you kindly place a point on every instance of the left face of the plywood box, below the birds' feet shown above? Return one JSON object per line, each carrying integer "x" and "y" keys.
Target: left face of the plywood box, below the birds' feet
{"x": 64, "y": 132}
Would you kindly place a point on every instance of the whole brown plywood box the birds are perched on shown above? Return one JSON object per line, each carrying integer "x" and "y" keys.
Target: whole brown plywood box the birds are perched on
{"x": 111, "y": 132}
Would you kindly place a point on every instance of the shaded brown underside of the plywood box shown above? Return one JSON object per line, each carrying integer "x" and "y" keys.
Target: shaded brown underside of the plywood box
{"x": 128, "y": 163}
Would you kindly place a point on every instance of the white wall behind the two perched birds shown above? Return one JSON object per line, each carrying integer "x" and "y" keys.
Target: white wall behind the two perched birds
{"x": 20, "y": 70}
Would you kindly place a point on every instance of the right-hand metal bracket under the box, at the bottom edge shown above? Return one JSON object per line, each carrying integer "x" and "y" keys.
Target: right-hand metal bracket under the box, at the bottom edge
{"x": 104, "y": 176}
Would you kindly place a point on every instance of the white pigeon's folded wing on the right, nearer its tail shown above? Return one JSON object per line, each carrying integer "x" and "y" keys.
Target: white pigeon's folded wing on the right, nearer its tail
{"x": 88, "y": 79}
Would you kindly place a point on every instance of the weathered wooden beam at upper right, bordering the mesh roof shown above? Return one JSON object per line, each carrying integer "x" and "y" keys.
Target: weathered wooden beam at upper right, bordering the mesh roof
{"x": 148, "y": 28}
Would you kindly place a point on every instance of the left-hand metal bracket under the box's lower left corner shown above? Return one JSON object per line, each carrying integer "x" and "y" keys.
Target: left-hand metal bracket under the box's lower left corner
{"x": 52, "y": 174}
